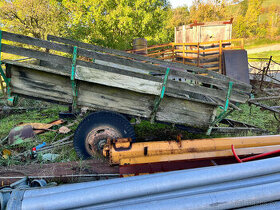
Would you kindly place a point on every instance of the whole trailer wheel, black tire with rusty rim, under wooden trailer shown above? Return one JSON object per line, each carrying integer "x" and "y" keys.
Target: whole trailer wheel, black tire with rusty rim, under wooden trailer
{"x": 93, "y": 132}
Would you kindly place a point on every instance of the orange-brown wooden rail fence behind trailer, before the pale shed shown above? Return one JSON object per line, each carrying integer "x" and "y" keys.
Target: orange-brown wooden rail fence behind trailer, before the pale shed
{"x": 205, "y": 54}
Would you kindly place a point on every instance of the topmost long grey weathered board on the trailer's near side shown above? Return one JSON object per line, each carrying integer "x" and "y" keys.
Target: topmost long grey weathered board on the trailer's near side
{"x": 113, "y": 60}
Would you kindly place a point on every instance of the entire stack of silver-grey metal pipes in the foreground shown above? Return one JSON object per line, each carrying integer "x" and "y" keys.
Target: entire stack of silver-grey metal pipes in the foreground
{"x": 241, "y": 185}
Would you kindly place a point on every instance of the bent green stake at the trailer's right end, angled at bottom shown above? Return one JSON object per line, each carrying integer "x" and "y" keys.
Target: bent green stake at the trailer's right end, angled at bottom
{"x": 225, "y": 111}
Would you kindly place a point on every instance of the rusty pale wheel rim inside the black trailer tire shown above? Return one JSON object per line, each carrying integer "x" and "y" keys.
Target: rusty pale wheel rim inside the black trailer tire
{"x": 97, "y": 138}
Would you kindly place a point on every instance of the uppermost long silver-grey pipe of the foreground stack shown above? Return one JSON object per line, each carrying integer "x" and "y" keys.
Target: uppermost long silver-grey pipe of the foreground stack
{"x": 149, "y": 186}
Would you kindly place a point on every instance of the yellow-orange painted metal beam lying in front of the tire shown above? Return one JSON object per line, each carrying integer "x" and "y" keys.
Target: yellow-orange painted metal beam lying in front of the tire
{"x": 154, "y": 151}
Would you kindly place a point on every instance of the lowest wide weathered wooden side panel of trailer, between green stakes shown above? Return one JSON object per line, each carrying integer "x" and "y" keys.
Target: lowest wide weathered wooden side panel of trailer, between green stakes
{"x": 32, "y": 82}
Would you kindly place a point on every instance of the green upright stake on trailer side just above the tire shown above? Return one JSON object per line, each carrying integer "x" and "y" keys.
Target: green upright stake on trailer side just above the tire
{"x": 73, "y": 81}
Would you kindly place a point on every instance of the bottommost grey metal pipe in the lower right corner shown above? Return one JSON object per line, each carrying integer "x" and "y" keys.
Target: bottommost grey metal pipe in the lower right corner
{"x": 228, "y": 199}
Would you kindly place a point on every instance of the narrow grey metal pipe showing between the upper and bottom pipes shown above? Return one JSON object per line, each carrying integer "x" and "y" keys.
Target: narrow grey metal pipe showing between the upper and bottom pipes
{"x": 194, "y": 191}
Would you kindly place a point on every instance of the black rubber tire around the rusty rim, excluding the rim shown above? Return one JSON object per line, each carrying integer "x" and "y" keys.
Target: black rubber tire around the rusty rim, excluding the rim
{"x": 112, "y": 119}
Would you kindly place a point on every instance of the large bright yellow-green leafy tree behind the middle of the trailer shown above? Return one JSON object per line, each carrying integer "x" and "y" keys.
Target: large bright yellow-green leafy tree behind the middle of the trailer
{"x": 115, "y": 23}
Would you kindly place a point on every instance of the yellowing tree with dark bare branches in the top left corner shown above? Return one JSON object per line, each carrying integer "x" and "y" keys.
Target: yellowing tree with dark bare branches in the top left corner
{"x": 36, "y": 18}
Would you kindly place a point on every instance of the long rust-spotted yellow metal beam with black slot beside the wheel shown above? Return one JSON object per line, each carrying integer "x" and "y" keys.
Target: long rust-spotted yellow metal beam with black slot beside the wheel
{"x": 164, "y": 151}
